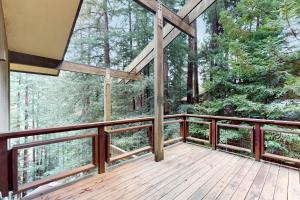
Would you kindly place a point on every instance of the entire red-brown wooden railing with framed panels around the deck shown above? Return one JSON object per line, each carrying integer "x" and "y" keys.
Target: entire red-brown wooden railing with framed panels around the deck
{"x": 101, "y": 145}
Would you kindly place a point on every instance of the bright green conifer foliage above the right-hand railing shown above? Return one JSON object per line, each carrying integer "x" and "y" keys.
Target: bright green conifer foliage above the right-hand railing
{"x": 260, "y": 75}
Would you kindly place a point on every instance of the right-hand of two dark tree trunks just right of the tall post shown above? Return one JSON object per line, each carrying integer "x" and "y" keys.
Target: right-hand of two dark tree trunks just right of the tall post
{"x": 195, "y": 51}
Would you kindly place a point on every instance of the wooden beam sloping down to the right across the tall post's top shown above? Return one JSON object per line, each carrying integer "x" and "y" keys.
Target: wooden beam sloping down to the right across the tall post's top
{"x": 169, "y": 16}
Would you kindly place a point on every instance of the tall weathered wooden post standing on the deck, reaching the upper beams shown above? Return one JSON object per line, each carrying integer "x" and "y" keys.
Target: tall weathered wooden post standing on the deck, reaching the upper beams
{"x": 158, "y": 86}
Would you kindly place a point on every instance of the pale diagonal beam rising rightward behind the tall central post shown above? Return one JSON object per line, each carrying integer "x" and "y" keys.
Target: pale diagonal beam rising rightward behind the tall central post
{"x": 191, "y": 11}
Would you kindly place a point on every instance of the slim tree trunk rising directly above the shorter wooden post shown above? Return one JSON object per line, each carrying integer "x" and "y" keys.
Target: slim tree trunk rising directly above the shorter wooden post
{"x": 106, "y": 34}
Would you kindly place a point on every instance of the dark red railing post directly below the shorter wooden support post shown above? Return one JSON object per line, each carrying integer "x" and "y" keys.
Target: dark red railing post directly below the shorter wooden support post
{"x": 102, "y": 149}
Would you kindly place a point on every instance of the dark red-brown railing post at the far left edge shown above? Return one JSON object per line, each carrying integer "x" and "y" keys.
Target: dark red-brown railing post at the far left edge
{"x": 4, "y": 170}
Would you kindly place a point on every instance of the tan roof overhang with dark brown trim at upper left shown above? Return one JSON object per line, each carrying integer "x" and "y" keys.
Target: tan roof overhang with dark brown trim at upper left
{"x": 38, "y": 33}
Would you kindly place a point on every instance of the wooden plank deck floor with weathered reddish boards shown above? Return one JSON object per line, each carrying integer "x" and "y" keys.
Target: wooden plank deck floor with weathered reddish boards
{"x": 188, "y": 172}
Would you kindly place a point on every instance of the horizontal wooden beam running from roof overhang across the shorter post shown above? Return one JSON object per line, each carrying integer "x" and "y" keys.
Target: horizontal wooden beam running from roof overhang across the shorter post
{"x": 100, "y": 71}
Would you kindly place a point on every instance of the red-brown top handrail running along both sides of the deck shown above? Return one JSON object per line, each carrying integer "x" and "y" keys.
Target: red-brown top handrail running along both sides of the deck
{"x": 33, "y": 132}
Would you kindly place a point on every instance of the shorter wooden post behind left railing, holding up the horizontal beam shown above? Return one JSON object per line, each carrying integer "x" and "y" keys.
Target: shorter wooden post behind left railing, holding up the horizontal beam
{"x": 107, "y": 98}
